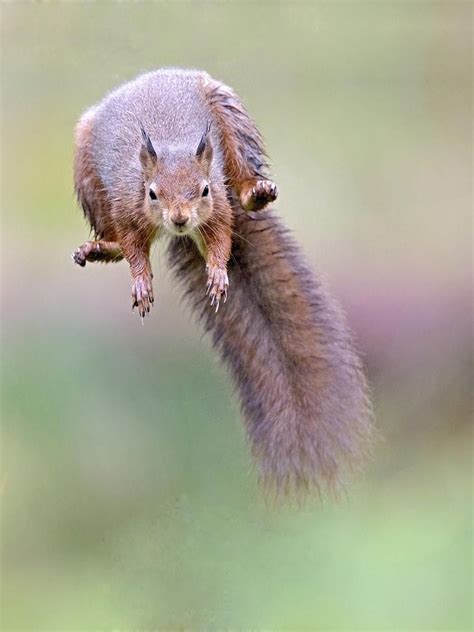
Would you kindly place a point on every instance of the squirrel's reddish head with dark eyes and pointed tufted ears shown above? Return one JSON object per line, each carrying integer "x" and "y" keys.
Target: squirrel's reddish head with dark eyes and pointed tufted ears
{"x": 177, "y": 184}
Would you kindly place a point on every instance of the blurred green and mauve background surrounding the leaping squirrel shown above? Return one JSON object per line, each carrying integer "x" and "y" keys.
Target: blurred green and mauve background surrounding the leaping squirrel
{"x": 128, "y": 496}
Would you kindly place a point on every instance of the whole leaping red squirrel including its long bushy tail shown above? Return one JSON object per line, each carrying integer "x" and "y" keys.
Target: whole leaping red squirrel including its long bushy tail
{"x": 175, "y": 152}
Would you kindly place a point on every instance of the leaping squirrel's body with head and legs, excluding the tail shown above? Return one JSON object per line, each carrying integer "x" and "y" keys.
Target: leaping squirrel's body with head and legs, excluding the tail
{"x": 159, "y": 155}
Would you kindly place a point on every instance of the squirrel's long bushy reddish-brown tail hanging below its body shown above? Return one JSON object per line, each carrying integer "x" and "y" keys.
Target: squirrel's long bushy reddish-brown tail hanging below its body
{"x": 303, "y": 392}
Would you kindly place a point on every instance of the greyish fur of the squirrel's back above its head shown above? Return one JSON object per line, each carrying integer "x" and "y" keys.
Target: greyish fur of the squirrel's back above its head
{"x": 169, "y": 104}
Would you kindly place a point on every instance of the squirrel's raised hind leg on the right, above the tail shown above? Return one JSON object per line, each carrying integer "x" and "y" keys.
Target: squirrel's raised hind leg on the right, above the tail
{"x": 244, "y": 152}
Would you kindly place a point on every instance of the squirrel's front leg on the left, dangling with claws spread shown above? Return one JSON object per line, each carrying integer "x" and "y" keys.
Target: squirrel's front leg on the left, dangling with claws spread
{"x": 137, "y": 253}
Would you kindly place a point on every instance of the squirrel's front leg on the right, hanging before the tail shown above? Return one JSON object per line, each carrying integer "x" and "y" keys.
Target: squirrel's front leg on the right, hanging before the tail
{"x": 215, "y": 244}
